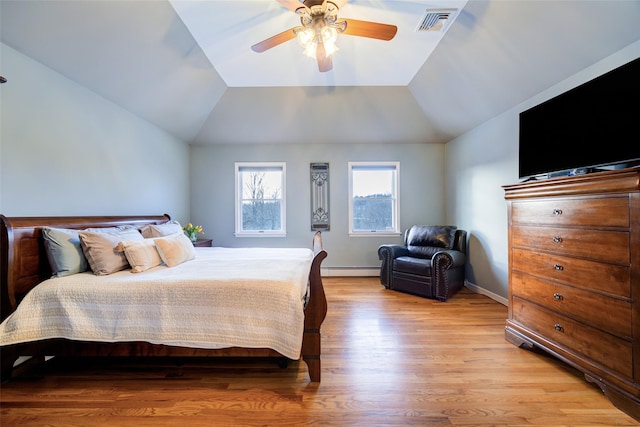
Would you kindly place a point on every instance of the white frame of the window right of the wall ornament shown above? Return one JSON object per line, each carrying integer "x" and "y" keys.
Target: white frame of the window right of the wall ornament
{"x": 395, "y": 165}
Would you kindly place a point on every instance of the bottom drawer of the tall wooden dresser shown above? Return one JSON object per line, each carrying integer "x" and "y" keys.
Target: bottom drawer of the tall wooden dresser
{"x": 601, "y": 347}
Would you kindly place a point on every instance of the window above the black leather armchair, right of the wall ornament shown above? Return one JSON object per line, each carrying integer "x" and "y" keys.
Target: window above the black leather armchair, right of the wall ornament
{"x": 373, "y": 198}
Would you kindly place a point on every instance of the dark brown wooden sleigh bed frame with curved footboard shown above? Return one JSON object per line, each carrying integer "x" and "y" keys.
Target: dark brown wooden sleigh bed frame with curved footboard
{"x": 24, "y": 264}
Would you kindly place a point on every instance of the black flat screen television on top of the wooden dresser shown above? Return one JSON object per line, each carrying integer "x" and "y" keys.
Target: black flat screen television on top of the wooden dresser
{"x": 591, "y": 127}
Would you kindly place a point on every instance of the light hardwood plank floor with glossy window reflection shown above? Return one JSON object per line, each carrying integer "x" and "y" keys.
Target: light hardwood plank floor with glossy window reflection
{"x": 389, "y": 359}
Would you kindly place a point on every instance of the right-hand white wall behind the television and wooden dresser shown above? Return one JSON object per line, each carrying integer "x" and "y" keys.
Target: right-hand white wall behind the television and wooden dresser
{"x": 480, "y": 162}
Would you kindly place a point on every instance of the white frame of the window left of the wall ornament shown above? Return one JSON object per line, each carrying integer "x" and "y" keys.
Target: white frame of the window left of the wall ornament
{"x": 240, "y": 167}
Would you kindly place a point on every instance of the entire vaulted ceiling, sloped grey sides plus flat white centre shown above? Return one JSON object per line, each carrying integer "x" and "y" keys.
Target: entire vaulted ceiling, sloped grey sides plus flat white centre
{"x": 187, "y": 66}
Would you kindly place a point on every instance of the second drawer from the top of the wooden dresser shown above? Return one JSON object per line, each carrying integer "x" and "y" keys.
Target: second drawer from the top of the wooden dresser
{"x": 606, "y": 246}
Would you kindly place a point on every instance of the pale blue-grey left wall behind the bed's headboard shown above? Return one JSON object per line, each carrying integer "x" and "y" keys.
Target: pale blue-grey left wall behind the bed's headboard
{"x": 65, "y": 150}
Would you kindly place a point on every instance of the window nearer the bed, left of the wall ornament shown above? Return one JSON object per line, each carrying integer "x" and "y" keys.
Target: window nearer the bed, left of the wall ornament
{"x": 260, "y": 199}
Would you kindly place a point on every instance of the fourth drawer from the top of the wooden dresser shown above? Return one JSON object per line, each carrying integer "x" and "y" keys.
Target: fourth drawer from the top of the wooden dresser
{"x": 610, "y": 314}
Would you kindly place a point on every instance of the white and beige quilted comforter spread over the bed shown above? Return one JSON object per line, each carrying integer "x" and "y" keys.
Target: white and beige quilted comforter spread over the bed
{"x": 225, "y": 297}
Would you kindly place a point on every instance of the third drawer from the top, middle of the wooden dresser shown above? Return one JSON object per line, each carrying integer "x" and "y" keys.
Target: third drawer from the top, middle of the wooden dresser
{"x": 589, "y": 275}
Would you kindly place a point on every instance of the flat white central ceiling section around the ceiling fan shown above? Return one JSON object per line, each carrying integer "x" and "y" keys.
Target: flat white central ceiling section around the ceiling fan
{"x": 225, "y": 31}
